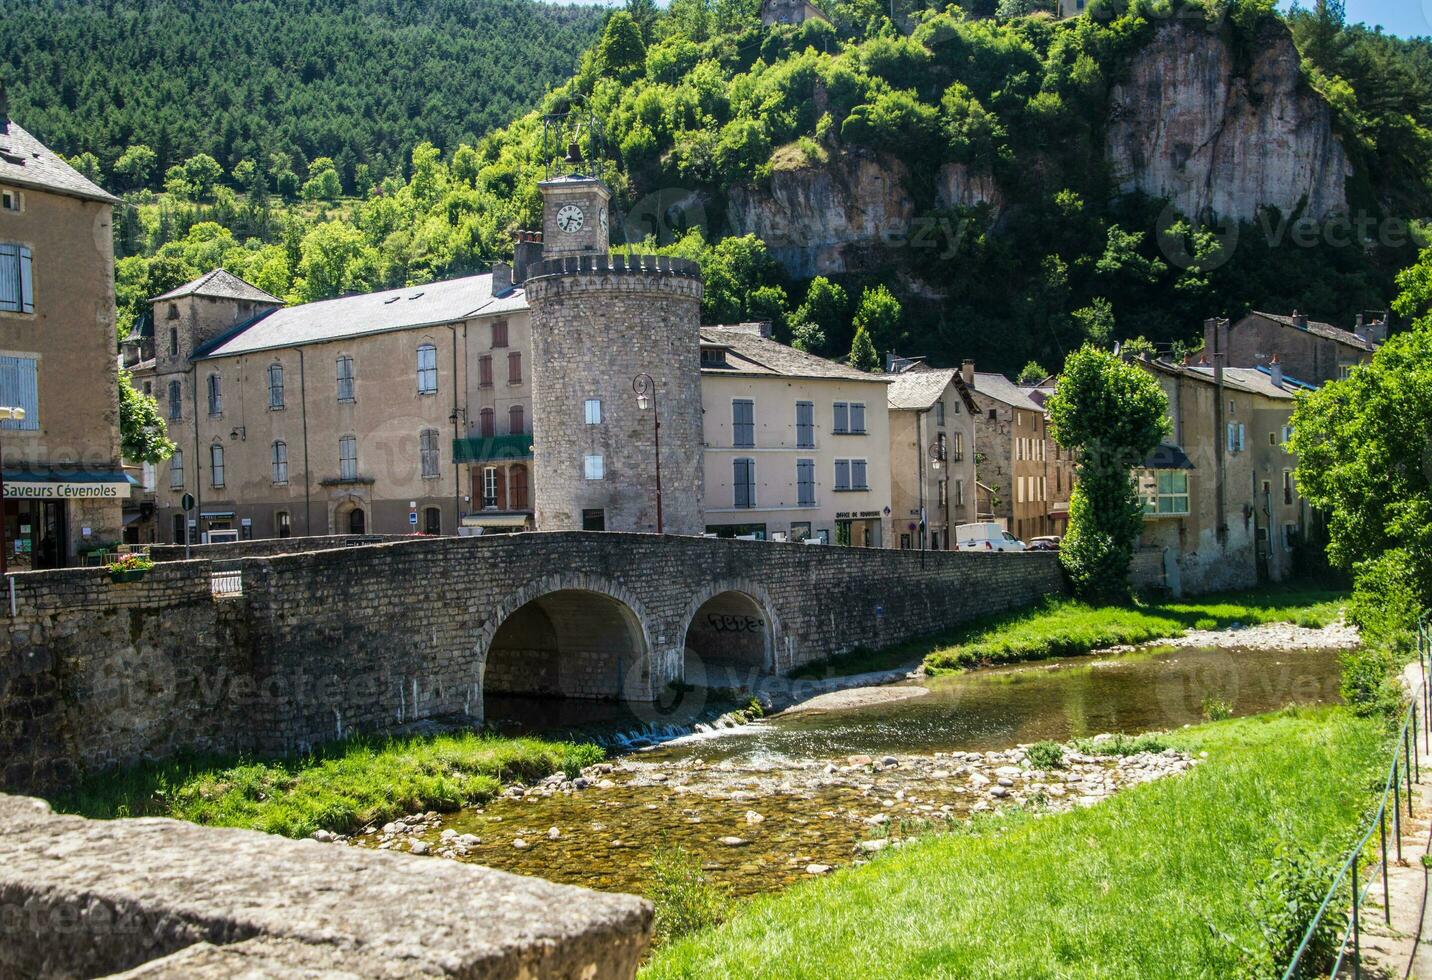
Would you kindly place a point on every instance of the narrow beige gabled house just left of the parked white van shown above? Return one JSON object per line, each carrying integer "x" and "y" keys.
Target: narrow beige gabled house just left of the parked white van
{"x": 933, "y": 459}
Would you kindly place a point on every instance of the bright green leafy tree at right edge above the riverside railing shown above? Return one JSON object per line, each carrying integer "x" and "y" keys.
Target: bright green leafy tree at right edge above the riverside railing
{"x": 1364, "y": 449}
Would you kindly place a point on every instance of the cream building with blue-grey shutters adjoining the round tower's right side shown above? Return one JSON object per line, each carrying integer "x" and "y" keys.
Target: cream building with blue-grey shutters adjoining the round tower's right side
{"x": 797, "y": 448}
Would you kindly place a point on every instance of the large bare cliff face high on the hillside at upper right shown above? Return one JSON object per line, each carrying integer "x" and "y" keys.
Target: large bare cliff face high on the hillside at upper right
{"x": 1189, "y": 127}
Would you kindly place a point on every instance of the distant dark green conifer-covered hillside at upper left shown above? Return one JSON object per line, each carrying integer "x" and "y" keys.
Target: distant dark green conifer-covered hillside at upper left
{"x": 356, "y": 81}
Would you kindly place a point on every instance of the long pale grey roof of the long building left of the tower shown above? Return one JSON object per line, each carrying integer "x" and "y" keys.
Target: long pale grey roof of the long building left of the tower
{"x": 372, "y": 313}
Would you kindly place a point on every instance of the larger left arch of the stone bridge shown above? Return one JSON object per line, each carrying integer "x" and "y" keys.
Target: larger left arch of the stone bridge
{"x": 569, "y": 637}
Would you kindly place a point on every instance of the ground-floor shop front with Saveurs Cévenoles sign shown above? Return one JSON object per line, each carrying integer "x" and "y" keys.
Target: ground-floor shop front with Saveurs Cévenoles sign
{"x": 54, "y": 518}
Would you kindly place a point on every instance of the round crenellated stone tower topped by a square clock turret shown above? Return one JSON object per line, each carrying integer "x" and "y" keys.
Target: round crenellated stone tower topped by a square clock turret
{"x": 598, "y": 323}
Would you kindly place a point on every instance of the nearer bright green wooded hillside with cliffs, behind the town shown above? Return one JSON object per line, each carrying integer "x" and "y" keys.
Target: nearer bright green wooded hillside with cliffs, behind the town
{"x": 992, "y": 140}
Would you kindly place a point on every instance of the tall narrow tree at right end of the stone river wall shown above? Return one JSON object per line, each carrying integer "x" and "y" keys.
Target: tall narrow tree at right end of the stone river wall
{"x": 1111, "y": 415}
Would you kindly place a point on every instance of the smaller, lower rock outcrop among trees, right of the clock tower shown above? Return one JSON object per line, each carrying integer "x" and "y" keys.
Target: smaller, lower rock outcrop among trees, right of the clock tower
{"x": 827, "y": 220}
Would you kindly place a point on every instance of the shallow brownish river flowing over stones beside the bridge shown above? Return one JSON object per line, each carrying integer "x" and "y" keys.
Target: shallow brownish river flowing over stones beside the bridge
{"x": 760, "y": 806}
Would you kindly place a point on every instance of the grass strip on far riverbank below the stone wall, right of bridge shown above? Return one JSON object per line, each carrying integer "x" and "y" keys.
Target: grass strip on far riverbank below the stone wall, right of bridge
{"x": 1069, "y": 628}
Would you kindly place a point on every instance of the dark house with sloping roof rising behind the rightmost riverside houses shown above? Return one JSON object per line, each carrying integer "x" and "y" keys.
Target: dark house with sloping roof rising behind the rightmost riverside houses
{"x": 1308, "y": 350}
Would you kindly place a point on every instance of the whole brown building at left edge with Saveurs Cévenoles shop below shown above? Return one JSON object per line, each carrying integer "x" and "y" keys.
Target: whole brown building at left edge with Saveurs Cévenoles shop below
{"x": 64, "y": 481}
